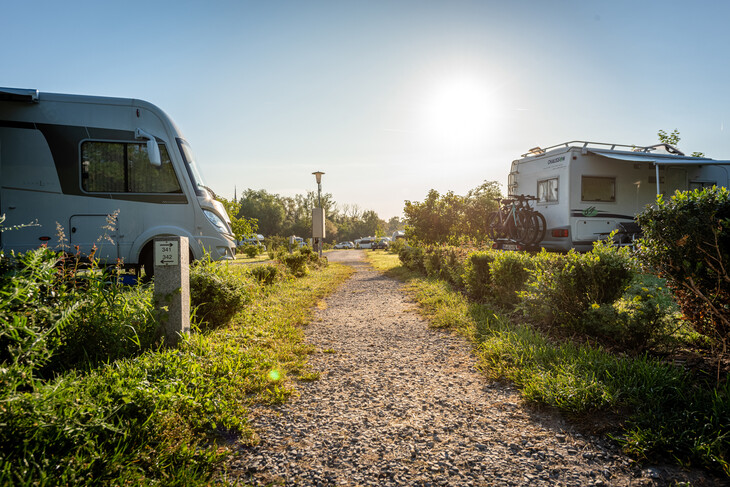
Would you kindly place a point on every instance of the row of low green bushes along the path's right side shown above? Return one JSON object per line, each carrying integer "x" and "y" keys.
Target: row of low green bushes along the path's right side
{"x": 600, "y": 293}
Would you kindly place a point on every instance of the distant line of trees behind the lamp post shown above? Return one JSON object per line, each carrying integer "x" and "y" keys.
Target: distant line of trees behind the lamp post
{"x": 285, "y": 216}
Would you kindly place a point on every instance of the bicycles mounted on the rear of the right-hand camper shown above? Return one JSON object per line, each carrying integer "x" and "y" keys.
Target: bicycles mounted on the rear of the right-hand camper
{"x": 517, "y": 221}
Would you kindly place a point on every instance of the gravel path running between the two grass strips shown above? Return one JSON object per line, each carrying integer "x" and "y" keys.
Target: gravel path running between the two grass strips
{"x": 401, "y": 404}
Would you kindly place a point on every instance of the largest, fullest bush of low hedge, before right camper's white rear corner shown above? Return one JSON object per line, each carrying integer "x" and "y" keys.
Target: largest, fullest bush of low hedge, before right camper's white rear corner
{"x": 564, "y": 287}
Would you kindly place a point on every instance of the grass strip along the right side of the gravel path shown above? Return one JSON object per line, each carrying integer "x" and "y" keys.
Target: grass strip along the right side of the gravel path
{"x": 665, "y": 412}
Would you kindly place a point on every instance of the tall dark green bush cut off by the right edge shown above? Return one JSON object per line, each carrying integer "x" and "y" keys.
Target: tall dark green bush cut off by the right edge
{"x": 687, "y": 241}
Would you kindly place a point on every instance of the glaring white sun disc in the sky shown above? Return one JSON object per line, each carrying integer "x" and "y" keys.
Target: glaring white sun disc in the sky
{"x": 459, "y": 112}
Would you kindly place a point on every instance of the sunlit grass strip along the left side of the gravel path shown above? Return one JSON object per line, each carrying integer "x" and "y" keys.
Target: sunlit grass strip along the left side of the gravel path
{"x": 164, "y": 416}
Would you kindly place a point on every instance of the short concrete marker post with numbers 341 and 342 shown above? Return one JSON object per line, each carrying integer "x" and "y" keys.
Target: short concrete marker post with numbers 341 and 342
{"x": 172, "y": 287}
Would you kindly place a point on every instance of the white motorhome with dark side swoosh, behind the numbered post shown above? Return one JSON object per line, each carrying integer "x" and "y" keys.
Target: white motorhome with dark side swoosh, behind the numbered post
{"x": 75, "y": 160}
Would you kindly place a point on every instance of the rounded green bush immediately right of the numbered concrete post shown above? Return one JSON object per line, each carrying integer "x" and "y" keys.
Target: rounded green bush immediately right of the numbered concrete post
{"x": 217, "y": 292}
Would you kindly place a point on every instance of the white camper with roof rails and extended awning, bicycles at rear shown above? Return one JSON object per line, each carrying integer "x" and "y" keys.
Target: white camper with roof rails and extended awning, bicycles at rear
{"x": 586, "y": 190}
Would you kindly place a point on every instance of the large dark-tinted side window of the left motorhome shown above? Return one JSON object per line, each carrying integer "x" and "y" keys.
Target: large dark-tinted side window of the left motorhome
{"x": 121, "y": 167}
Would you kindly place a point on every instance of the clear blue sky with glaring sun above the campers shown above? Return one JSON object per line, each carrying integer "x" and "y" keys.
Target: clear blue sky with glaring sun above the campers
{"x": 389, "y": 98}
